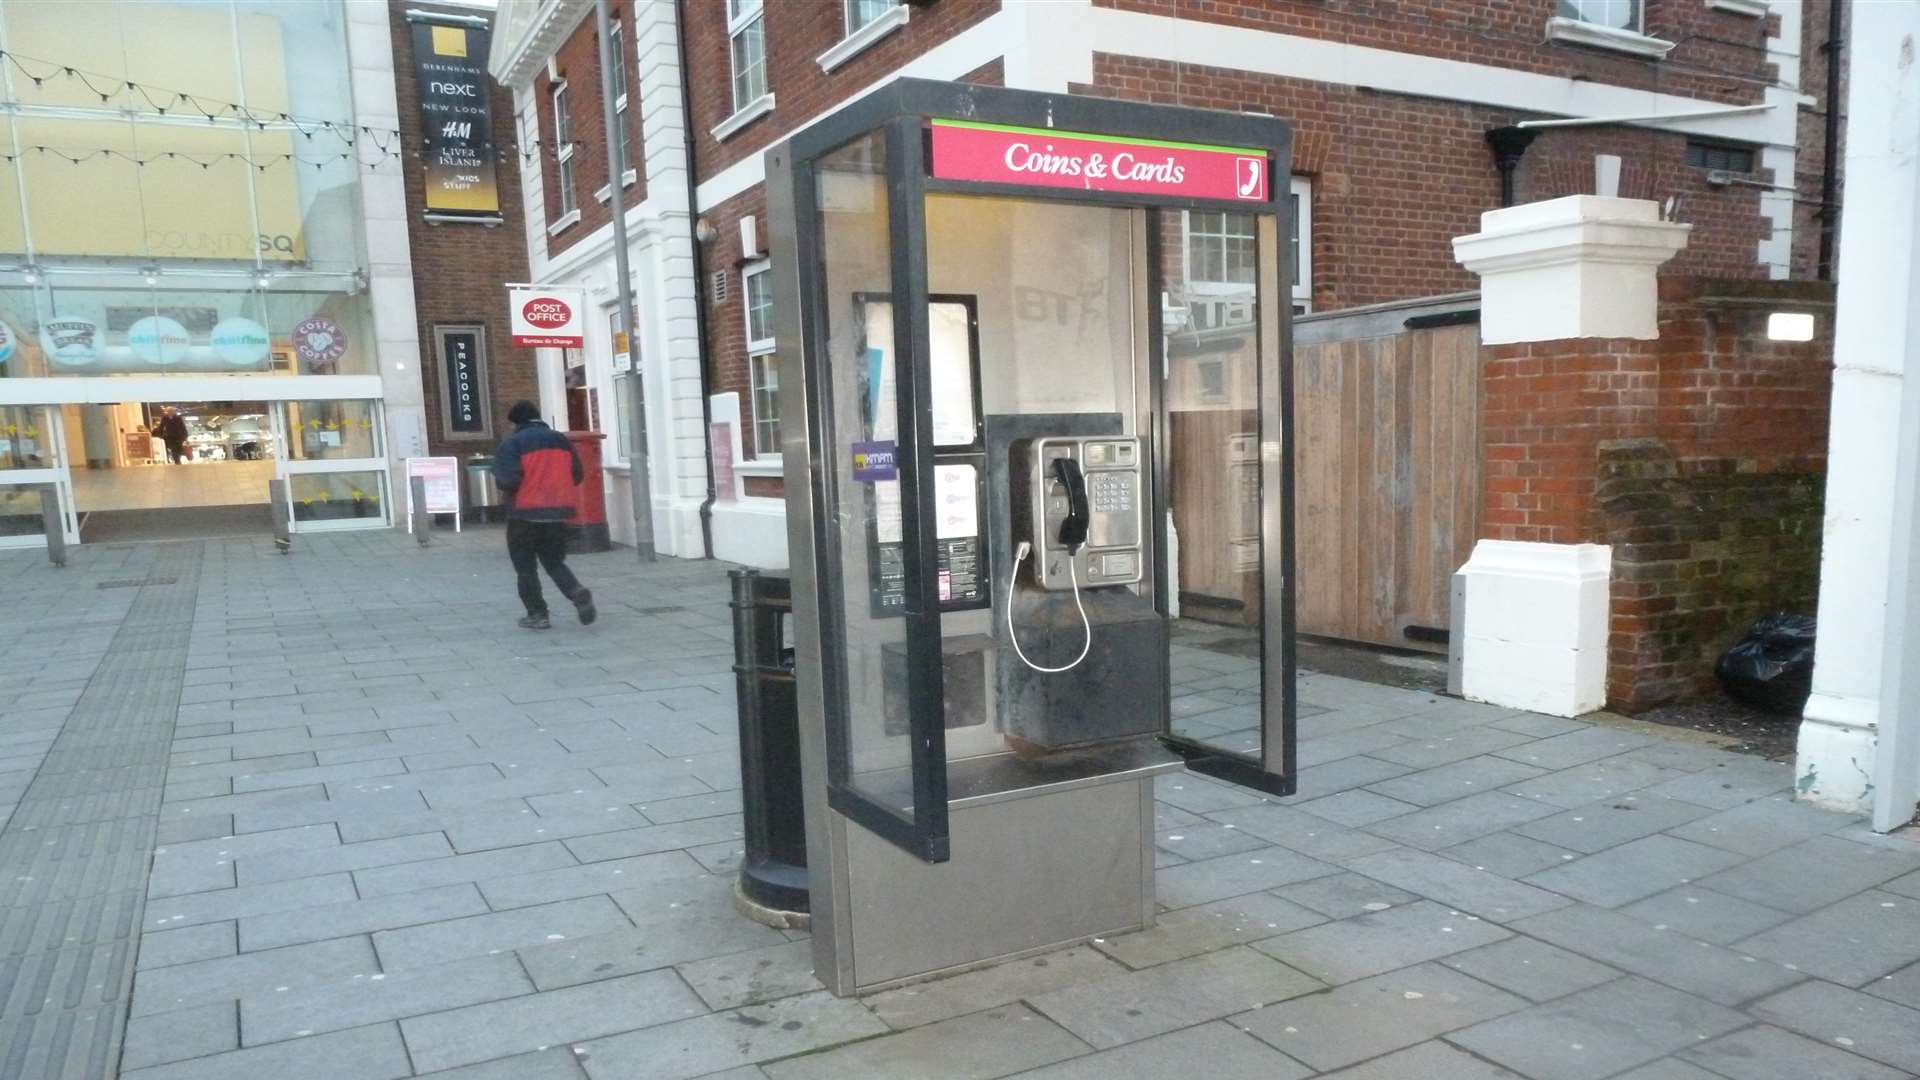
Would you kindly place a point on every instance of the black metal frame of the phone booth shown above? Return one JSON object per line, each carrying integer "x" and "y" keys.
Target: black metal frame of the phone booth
{"x": 901, "y": 112}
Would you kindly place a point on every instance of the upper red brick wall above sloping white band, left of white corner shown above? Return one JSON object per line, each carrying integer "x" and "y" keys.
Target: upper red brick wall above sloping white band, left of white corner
{"x": 798, "y": 32}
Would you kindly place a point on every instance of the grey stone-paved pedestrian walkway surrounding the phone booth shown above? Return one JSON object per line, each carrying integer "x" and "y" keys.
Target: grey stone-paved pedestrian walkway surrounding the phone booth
{"x": 400, "y": 837}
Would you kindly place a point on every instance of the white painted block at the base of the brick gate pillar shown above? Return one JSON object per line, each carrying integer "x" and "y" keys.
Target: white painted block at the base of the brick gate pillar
{"x": 1537, "y": 626}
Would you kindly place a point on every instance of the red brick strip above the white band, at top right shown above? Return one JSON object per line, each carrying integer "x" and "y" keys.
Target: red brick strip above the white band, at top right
{"x": 1719, "y": 55}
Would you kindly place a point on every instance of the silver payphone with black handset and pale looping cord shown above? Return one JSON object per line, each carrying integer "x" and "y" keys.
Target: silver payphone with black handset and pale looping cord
{"x": 1078, "y": 514}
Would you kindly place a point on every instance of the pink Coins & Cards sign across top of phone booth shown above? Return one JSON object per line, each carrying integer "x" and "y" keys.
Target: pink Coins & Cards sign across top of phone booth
{"x": 1034, "y": 157}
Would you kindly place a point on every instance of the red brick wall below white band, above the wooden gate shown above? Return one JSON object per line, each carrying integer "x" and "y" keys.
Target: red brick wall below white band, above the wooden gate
{"x": 1395, "y": 178}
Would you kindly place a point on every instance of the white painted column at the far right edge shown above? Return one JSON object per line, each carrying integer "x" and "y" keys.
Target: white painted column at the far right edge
{"x": 1861, "y": 666}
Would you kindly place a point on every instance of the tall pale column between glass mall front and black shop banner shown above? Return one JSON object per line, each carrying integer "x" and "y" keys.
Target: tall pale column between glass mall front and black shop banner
{"x": 385, "y": 235}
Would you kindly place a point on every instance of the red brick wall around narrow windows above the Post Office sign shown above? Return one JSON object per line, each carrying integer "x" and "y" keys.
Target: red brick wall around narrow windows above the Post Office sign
{"x": 579, "y": 66}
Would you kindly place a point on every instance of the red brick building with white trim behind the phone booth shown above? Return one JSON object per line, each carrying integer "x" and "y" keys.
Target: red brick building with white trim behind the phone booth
{"x": 1712, "y": 107}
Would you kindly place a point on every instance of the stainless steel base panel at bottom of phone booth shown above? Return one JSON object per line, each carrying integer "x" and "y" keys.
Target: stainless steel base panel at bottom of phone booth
{"x": 1026, "y": 875}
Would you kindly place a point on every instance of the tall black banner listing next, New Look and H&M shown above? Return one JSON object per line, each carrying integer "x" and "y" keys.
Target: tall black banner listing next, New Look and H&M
{"x": 456, "y": 118}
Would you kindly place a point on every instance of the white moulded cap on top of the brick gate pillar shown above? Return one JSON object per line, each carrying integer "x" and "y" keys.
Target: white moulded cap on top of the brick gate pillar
{"x": 1570, "y": 268}
